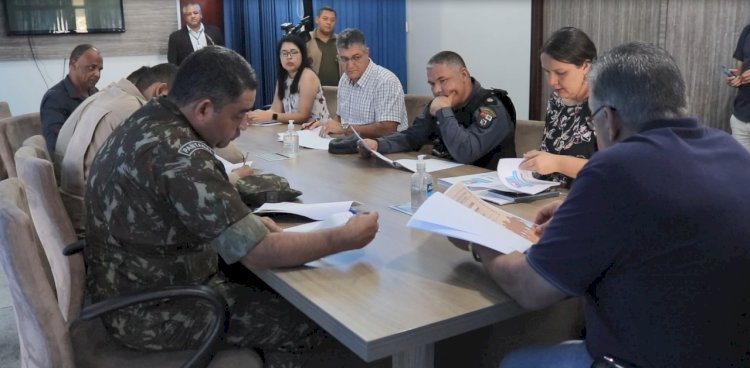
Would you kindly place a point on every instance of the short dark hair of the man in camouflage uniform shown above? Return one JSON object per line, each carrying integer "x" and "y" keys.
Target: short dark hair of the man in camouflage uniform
{"x": 213, "y": 72}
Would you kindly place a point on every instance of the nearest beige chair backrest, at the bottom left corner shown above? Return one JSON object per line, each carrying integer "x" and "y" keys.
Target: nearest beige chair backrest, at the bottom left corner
{"x": 43, "y": 333}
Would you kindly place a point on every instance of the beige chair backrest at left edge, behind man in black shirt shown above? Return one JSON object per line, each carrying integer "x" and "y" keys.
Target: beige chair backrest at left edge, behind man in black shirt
{"x": 13, "y": 131}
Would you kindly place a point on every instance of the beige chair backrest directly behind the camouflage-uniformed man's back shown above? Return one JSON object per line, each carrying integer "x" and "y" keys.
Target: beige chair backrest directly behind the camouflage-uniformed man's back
{"x": 54, "y": 228}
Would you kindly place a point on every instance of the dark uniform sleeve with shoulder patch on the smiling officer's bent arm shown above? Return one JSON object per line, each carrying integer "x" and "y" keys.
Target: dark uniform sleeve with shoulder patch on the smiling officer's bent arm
{"x": 490, "y": 124}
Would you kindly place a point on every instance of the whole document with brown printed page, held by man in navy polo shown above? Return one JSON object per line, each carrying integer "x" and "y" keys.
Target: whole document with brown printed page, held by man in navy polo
{"x": 460, "y": 214}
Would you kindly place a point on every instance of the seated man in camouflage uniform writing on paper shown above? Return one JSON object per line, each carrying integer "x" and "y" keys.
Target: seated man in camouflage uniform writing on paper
{"x": 163, "y": 212}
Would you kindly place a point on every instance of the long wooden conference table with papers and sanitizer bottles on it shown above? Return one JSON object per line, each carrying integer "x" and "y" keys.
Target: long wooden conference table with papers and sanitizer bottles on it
{"x": 402, "y": 292}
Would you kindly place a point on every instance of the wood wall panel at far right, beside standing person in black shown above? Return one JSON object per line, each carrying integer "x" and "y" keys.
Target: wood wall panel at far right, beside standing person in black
{"x": 702, "y": 35}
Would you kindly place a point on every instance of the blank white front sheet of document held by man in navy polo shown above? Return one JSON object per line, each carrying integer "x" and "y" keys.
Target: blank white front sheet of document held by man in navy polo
{"x": 463, "y": 223}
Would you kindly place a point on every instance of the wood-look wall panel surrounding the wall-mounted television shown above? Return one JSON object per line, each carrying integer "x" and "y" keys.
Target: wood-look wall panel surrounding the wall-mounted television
{"x": 148, "y": 24}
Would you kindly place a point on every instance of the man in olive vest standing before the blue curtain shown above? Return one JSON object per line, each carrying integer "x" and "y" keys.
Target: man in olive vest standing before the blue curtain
{"x": 322, "y": 48}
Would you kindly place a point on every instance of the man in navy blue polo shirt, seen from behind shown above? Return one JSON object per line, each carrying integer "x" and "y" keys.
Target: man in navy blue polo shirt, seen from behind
{"x": 653, "y": 236}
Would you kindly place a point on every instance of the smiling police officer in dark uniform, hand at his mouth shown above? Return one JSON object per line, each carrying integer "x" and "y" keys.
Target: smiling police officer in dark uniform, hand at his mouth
{"x": 465, "y": 122}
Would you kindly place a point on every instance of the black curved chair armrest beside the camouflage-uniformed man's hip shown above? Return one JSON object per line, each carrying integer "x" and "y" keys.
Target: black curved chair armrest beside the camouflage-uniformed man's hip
{"x": 202, "y": 356}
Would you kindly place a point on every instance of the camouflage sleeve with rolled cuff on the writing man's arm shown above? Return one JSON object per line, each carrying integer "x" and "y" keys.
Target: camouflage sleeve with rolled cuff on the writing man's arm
{"x": 207, "y": 204}
